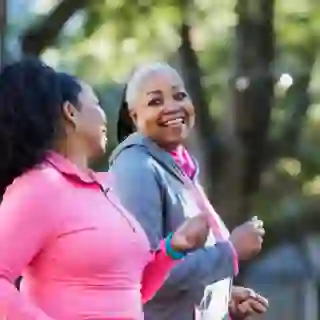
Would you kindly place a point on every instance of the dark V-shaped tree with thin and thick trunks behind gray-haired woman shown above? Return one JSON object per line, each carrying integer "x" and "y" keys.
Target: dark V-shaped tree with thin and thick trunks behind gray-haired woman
{"x": 250, "y": 110}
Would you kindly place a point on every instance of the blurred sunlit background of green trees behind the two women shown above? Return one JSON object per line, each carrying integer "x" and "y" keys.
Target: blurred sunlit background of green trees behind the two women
{"x": 252, "y": 68}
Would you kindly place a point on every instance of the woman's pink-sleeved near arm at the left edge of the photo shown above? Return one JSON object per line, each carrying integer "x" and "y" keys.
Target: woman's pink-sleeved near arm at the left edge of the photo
{"x": 24, "y": 227}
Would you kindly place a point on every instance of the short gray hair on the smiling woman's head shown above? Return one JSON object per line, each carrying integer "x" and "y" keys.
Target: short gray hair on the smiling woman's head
{"x": 140, "y": 74}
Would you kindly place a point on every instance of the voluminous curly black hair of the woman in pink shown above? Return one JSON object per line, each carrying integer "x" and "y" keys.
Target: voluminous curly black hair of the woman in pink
{"x": 31, "y": 99}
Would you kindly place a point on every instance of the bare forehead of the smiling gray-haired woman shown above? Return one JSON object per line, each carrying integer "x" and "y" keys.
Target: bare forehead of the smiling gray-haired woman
{"x": 161, "y": 80}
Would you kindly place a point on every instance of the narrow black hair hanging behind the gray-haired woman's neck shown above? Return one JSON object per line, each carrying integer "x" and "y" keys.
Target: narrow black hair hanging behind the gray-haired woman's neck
{"x": 125, "y": 125}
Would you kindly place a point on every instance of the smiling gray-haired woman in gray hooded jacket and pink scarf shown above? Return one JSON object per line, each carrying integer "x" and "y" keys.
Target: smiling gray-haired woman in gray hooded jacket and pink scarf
{"x": 157, "y": 180}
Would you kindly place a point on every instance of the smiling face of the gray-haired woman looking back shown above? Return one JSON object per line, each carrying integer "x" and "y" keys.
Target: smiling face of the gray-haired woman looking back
{"x": 162, "y": 109}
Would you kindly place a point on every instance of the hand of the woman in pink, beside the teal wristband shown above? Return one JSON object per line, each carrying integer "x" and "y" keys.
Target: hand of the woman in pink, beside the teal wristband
{"x": 191, "y": 235}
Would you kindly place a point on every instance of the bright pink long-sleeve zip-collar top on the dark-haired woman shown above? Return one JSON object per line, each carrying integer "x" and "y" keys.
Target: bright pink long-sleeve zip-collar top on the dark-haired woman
{"x": 82, "y": 255}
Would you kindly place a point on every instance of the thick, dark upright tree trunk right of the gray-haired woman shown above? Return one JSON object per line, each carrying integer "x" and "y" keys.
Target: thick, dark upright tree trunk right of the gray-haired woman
{"x": 249, "y": 117}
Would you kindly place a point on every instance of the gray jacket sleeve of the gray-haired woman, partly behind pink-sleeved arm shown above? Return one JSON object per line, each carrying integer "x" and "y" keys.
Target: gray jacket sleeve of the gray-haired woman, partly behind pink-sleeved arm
{"x": 140, "y": 190}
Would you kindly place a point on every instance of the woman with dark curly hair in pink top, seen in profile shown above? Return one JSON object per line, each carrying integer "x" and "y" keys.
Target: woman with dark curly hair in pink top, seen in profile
{"x": 82, "y": 255}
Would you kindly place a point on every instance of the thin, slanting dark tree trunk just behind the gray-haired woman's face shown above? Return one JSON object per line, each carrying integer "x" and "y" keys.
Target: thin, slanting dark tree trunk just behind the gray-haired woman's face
{"x": 205, "y": 141}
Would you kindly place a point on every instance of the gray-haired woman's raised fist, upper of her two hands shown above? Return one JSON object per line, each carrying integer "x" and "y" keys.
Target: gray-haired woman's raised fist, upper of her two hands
{"x": 247, "y": 239}
